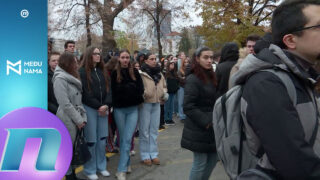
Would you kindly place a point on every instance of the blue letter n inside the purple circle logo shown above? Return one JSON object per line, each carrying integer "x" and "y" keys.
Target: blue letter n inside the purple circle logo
{"x": 15, "y": 143}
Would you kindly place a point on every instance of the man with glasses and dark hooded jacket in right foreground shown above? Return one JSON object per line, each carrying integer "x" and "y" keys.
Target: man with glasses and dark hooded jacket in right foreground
{"x": 281, "y": 117}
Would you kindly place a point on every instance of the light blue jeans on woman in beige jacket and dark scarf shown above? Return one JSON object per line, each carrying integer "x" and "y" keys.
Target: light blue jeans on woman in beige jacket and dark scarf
{"x": 149, "y": 121}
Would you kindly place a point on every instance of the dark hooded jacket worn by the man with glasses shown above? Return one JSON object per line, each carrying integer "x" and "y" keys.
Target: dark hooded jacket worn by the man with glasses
{"x": 279, "y": 125}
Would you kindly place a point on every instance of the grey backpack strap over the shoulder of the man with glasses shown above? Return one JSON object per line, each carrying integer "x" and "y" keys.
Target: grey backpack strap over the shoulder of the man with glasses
{"x": 286, "y": 80}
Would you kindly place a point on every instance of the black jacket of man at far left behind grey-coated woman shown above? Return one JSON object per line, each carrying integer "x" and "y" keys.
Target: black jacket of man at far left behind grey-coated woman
{"x": 52, "y": 101}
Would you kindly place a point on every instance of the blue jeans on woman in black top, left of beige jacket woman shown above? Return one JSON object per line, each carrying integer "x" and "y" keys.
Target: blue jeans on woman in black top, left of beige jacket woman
{"x": 126, "y": 120}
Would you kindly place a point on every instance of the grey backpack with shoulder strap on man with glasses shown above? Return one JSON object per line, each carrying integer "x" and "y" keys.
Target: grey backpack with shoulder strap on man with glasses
{"x": 229, "y": 128}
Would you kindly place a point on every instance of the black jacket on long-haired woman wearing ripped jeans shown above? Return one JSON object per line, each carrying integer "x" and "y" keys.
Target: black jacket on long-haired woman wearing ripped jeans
{"x": 97, "y": 95}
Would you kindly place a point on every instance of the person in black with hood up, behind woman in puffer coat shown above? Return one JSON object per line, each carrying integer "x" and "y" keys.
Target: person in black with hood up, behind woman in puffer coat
{"x": 229, "y": 57}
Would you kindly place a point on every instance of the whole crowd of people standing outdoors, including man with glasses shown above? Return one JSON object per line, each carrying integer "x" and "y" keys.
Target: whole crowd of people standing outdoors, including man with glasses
{"x": 137, "y": 95}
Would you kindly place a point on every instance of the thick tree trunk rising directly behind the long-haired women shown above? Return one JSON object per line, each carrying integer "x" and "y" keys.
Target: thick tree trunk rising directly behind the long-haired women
{"x": 108, "y": 42}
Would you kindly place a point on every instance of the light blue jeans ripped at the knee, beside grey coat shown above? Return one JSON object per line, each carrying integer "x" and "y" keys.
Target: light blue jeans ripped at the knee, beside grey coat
{"x": 95, "y": 133}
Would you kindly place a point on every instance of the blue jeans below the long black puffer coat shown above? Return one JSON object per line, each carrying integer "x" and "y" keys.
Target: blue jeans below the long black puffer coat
{"x": 202, "y": 166}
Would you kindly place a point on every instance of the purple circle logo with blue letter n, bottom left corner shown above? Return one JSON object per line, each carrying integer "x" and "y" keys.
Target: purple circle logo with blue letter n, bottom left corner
{"x": 34, "y": 144}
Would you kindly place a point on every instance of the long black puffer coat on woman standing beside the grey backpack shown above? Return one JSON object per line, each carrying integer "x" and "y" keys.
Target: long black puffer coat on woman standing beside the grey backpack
{"x": 199, "y": 99}
